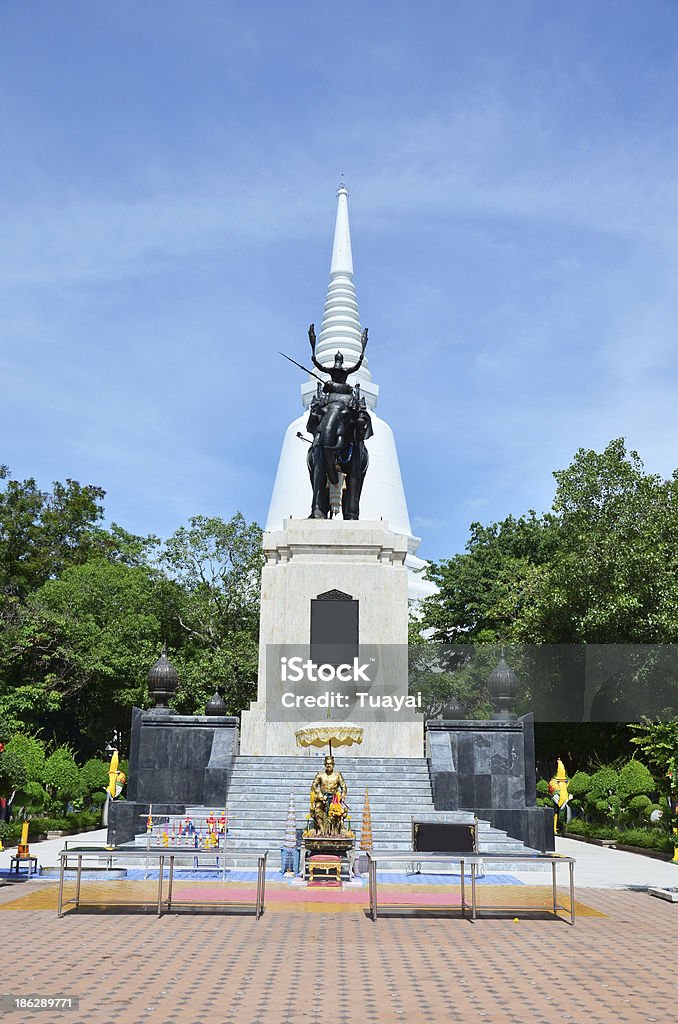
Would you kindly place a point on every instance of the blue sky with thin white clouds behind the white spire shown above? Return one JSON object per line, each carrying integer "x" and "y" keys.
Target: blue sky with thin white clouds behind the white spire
{"x": 167, "y": 201}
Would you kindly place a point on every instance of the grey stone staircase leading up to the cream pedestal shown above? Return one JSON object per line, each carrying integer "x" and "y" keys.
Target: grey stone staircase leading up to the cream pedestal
{"x": 400, "y": 790}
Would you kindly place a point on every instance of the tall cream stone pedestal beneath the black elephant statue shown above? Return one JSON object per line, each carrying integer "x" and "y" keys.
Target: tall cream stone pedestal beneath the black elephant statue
{"x": 306, "y": 561}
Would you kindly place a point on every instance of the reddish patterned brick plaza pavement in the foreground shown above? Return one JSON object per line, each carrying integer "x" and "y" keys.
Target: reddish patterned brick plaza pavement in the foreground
{"x": 617, "y": 965}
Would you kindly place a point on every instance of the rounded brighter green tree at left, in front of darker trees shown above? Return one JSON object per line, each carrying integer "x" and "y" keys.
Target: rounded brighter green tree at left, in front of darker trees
{"x": 81, "y": 649}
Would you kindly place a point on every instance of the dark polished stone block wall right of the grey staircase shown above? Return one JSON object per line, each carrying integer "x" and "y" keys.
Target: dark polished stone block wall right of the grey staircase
{"x": 488, "y": 767}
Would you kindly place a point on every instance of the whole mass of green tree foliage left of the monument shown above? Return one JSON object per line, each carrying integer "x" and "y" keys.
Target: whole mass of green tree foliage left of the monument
{"x": 86, "y": 610}
